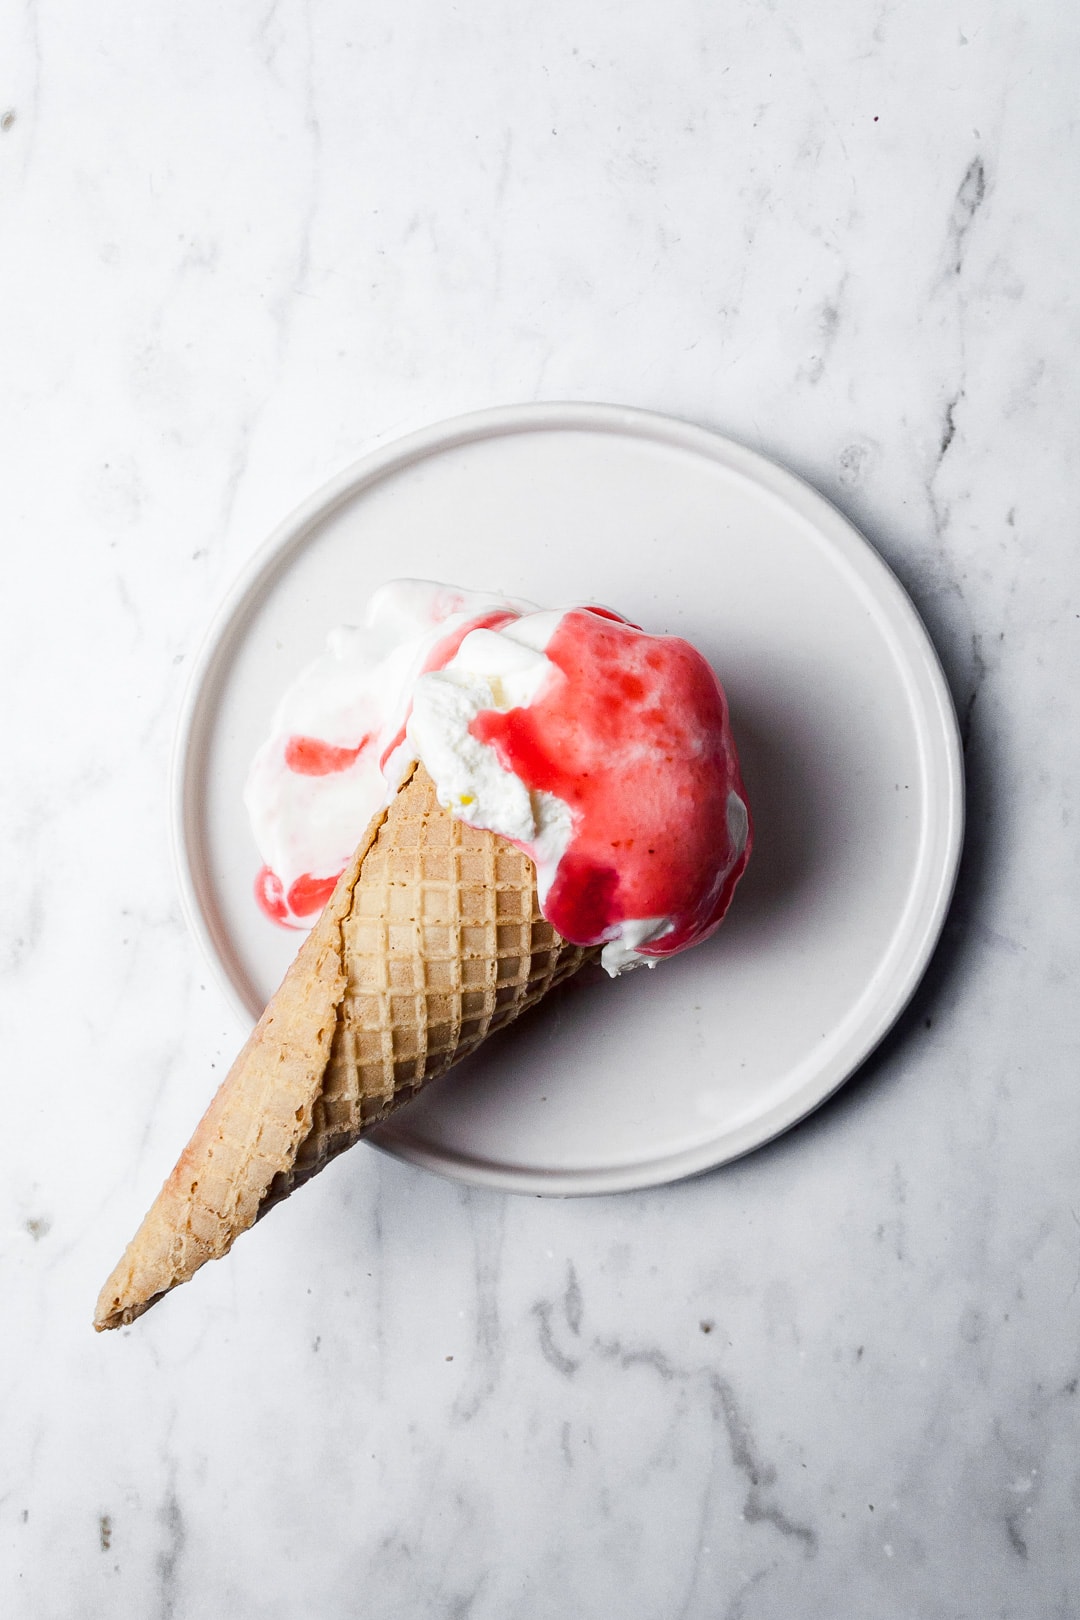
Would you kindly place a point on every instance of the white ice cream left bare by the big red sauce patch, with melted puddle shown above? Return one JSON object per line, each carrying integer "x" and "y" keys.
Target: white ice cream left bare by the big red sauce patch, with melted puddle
{"x": 364, "y": 693}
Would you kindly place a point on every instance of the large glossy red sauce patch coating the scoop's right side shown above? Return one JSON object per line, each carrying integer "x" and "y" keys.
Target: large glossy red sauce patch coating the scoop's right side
{"x": 634, "y": 736}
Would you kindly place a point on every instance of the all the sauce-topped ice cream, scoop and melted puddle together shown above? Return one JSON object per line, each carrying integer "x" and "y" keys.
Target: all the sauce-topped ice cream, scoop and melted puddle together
{"x": 600, "y": 751}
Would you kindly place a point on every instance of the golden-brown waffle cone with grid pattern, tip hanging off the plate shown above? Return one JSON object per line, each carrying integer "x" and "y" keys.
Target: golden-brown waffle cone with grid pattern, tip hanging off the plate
{"x": 432, "y": 940}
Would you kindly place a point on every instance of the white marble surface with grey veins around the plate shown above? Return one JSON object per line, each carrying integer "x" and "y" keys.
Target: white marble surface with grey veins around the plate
{"x": 244, "y": 244}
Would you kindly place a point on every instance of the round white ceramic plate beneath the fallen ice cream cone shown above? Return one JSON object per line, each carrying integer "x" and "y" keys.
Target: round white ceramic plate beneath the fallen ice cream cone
{"x": 846, "y": 731}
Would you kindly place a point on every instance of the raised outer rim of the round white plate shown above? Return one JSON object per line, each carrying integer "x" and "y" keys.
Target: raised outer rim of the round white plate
{"x": 875, "y": 574}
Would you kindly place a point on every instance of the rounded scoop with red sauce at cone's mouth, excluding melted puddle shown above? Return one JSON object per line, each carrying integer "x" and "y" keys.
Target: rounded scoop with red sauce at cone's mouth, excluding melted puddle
{"x": 605, "y": 754}
